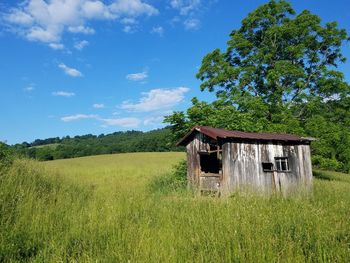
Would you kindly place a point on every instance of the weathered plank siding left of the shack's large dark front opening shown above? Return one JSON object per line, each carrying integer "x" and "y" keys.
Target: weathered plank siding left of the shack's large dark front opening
{"x": 193, "y": 159}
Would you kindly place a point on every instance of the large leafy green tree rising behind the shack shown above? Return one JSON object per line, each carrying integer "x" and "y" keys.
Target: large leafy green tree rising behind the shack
{"x": 278, "y": 73}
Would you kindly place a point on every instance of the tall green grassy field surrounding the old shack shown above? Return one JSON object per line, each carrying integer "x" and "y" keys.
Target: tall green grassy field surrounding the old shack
{"x": 108, "y": 209}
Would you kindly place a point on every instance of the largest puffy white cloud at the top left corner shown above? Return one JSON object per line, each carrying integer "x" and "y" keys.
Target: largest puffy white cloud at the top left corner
{"x": 46, "y": 21}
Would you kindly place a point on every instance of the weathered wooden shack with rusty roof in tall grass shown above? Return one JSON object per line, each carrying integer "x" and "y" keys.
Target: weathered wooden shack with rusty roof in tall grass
{"x": 225, "y": 161}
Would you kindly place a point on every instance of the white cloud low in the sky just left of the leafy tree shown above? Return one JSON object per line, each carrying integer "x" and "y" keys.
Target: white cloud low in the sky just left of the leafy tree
{"x": 157, "y": 99}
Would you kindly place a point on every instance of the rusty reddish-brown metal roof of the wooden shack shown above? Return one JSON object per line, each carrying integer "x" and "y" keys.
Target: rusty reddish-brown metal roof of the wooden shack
{"x": 216, "y": 134}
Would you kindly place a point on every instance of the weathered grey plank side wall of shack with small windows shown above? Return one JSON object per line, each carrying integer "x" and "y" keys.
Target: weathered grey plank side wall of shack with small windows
{"x": 242, "y": 167}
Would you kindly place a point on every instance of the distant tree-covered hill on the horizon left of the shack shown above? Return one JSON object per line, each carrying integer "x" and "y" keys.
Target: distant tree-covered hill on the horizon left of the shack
{"x": 118, "y": 142}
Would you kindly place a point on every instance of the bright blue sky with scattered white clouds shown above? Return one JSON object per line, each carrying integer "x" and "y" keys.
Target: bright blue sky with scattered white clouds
{"x": 73, "y": 67}
